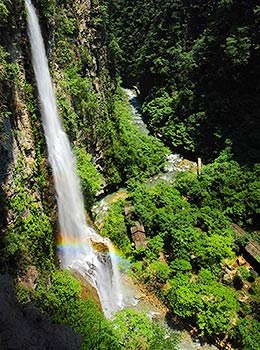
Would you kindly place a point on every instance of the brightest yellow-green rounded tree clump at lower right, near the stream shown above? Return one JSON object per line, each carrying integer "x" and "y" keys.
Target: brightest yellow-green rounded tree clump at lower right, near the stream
{"x": 213, "y": 305}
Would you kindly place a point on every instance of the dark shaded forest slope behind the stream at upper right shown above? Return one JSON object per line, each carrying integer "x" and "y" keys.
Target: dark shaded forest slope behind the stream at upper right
{"x": 197, "y": 65}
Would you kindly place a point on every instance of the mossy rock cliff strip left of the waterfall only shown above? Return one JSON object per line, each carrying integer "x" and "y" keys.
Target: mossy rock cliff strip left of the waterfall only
{"x": 25, "y": 208}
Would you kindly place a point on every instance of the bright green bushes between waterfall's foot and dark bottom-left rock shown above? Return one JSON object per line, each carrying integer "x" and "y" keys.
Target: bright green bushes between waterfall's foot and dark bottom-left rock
{"x": 62, "y": 300}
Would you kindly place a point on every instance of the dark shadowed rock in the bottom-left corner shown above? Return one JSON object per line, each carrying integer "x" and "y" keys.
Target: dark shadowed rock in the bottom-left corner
{"x": 23, "y": 327}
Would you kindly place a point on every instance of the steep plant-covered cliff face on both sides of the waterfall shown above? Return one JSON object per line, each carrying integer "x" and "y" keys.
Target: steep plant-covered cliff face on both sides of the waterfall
{"x": 76, "y": 52}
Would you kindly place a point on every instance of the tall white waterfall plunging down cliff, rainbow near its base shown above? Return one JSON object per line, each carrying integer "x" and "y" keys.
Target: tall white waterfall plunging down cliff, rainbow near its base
{"x": 76, "y": 252}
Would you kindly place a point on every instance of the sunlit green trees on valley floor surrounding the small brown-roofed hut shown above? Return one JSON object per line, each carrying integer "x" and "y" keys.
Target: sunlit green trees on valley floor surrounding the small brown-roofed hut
{"x": 189, "y": 247}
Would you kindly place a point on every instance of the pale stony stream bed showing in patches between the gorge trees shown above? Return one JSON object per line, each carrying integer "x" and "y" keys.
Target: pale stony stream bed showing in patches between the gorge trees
{"x": 136, "y": 294}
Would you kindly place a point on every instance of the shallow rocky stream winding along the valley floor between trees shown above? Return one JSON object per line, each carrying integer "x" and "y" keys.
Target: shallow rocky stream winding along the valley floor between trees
{"x": 135, "y": 296}
